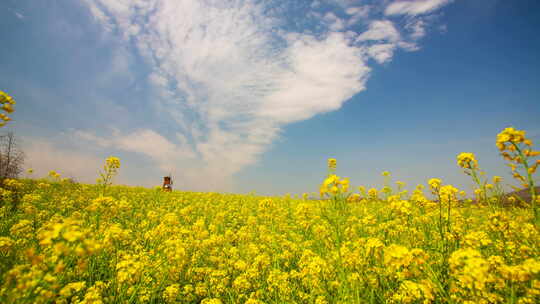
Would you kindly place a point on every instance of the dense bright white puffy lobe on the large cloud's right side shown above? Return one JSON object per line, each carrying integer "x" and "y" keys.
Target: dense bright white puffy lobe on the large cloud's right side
{"x": 323, "y": 75}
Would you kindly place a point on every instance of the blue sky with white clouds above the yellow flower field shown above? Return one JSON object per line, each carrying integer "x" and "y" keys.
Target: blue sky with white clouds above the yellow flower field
{"x": 254, "y": 96}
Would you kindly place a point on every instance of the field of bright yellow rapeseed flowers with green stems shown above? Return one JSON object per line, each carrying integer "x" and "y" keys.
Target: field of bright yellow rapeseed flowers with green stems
{"x": 62, "y": 242}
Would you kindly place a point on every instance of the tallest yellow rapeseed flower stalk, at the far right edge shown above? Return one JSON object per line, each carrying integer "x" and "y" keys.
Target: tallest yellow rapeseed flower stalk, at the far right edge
{"x": 517, "y": 150}
